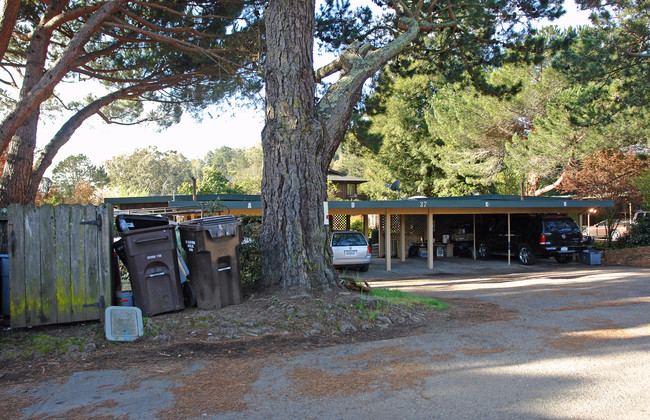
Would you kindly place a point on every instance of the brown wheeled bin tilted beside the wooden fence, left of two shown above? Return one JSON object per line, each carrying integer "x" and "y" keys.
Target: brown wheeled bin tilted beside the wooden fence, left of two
{"x": 153, "y": 267}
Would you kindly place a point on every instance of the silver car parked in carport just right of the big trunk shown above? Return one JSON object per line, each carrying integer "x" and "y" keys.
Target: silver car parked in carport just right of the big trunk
{"x": 350, "y": 249}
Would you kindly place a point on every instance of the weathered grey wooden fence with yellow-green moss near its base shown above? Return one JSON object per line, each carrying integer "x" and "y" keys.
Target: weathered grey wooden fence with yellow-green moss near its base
{"x": 59, "y": 263}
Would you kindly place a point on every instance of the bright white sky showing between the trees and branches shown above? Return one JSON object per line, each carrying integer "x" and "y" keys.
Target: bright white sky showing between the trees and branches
{"x": 236, "y": 128}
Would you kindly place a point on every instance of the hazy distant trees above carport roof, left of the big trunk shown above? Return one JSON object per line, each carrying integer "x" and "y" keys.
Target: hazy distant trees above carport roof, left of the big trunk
{"x": 146, "y": 172}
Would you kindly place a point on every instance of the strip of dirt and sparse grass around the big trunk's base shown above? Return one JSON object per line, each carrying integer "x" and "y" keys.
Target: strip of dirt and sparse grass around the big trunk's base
{"x": 259, "y": 327}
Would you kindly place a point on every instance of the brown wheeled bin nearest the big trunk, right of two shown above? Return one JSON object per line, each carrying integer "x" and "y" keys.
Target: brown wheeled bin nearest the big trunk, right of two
{"x": 212, "y": 247}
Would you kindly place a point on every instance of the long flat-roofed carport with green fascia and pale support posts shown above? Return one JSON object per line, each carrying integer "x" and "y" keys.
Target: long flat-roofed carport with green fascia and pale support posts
{"x": 393, "y": 213}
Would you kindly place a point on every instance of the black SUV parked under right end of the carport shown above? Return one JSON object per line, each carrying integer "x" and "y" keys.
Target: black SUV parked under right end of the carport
{"x": 531, "y": 236}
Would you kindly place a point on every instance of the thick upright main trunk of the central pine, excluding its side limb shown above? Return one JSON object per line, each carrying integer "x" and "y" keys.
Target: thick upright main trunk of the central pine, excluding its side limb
{"x": 293, "y": 237}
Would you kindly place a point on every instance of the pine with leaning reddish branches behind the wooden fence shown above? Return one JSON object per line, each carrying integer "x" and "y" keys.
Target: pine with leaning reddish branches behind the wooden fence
{"x": 180, "y": 56}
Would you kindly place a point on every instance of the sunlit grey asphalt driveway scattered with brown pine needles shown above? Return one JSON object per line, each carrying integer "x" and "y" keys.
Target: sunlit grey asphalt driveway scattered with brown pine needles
{"x": 573, "y": 343}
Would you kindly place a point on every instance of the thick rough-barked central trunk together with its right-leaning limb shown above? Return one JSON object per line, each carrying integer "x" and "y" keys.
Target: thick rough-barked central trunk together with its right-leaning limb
{"x": 300, "y": 138}
